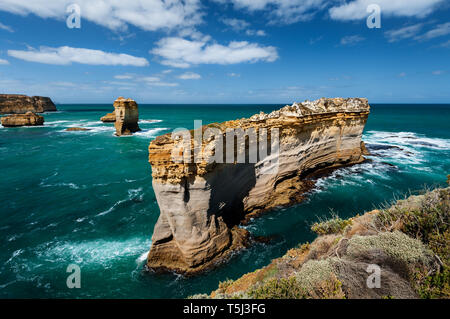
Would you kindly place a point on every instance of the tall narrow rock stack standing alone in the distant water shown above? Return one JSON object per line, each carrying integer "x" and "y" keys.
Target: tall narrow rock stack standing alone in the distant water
{"x": 126, "y": 116}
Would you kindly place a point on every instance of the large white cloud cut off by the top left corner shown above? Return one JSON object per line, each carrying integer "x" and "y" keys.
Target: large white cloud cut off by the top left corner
{"x": 148, "y": 15}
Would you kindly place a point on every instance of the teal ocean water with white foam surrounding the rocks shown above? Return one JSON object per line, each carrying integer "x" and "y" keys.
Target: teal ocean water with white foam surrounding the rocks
{"x": 86, "y": 198}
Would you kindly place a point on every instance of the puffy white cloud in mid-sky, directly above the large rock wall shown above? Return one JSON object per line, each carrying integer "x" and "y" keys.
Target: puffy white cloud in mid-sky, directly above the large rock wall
{"x": 182, "y": 53}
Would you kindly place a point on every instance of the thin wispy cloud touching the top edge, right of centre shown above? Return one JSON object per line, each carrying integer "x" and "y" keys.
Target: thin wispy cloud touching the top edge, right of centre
{"x": 282, "y": 11}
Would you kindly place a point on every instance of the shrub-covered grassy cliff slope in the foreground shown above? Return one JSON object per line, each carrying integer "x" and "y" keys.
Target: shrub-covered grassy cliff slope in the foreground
{"x": 409, "y": 243}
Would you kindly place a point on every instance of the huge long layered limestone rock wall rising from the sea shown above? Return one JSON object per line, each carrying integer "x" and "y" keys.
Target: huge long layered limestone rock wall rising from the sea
{"x": 202, "y": 201}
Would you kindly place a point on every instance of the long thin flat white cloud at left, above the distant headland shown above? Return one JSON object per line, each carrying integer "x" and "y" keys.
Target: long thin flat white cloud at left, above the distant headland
{"x": 67, "y": 55}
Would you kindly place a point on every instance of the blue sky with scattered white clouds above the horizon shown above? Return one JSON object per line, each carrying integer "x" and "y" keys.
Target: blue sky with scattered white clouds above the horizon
{"x": 219, "y": 51}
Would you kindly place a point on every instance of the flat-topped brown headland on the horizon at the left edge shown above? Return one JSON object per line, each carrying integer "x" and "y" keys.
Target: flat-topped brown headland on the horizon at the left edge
{"x": 15, "y": 104}
